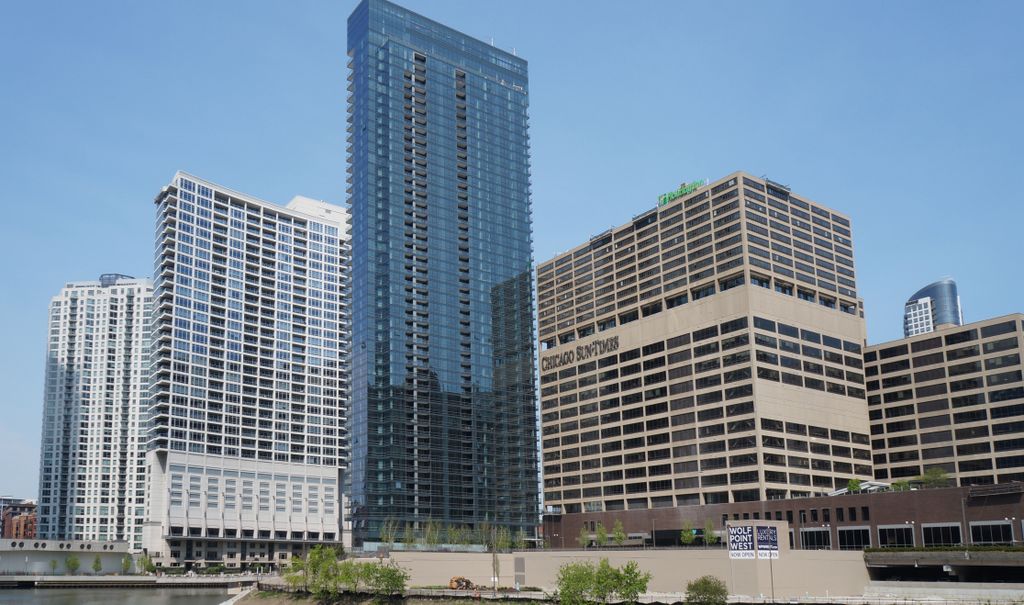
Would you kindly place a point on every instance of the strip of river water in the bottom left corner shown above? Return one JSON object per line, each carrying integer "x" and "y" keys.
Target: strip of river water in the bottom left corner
{"x": 113, "y": 596}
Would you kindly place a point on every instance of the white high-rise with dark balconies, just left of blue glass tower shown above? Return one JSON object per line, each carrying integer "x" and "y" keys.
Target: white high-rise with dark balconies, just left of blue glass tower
{"x": 247, "y": 423}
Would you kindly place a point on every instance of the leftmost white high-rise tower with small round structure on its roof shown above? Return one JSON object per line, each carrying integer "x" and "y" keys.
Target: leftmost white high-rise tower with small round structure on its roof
{"x": 93, "y": 462}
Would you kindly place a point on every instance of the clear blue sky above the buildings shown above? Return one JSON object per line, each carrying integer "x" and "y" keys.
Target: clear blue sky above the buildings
{"x": 905, "y": 115}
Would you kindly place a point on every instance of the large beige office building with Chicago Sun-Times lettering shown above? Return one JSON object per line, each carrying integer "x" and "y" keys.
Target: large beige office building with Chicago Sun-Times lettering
{"x": 708, "y": 352}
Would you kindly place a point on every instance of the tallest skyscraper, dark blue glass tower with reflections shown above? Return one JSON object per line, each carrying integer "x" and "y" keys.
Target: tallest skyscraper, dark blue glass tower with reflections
{"x": 444, "y": 412}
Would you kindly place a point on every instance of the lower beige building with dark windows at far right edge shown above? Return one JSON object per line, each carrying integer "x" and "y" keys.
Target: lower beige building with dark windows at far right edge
{"x": 952, "y": 400}
